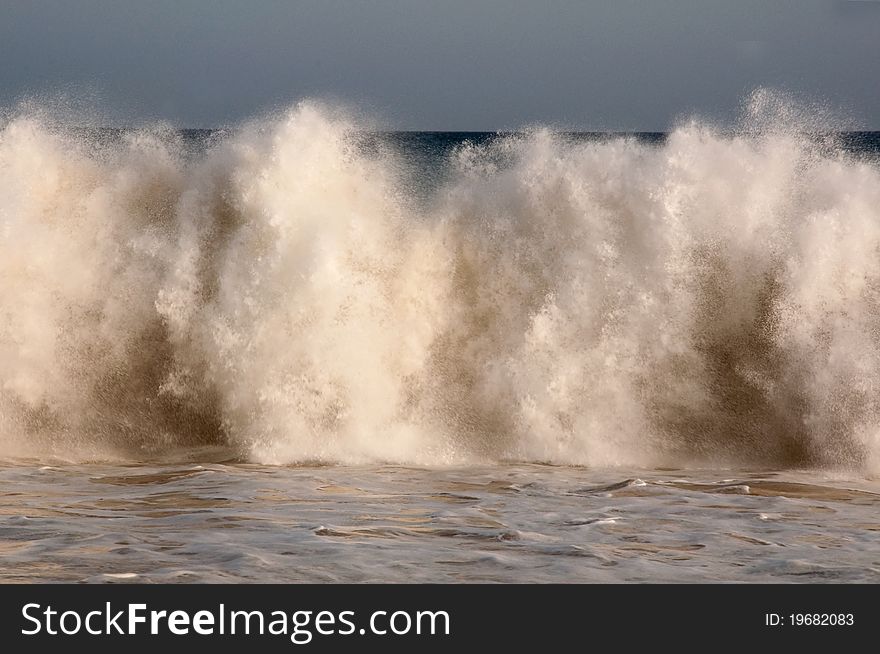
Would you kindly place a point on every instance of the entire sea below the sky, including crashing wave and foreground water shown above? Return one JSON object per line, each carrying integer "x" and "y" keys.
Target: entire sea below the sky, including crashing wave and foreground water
{"x": 306, "y": 349}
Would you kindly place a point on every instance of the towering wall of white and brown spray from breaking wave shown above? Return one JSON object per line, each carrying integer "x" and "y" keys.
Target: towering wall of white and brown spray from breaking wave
{"x": 288, "y": 294}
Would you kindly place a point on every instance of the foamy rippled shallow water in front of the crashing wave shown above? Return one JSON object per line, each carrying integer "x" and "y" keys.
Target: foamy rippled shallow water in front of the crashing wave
{"x": 148, "y": 523}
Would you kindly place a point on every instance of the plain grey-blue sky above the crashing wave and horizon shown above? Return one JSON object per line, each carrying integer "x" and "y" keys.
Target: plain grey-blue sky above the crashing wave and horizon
{"x": 443, "y": 64}
